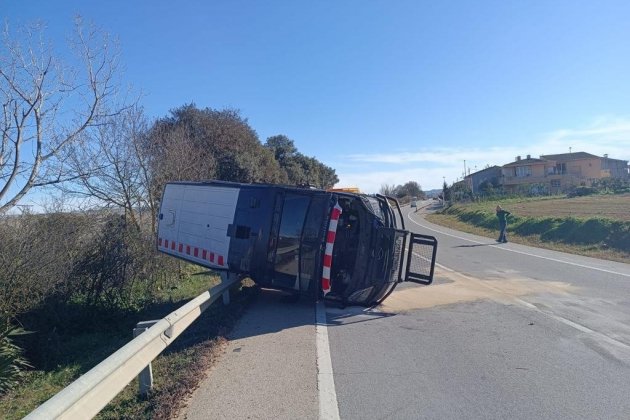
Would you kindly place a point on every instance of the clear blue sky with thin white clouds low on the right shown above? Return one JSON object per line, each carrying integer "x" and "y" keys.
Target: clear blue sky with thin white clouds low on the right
{"x": 382, "y": 91}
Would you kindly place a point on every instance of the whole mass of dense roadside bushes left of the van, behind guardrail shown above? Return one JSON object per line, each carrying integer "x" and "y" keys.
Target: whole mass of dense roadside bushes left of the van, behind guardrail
{"x": 69, "y": 273}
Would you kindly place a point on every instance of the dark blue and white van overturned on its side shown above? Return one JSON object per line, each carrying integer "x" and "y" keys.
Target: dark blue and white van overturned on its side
{"x": 343, "y": 246}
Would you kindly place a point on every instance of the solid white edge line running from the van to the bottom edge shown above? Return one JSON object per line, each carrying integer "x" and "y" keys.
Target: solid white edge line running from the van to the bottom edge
{"x": 328, "y": 407}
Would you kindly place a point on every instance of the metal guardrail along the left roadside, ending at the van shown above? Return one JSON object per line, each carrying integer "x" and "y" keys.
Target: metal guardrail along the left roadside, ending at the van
{"x": 90, "y": 393}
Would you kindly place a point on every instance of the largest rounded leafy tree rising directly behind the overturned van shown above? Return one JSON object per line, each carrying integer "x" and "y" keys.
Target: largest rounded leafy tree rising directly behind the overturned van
{"x": 198, "y": 144}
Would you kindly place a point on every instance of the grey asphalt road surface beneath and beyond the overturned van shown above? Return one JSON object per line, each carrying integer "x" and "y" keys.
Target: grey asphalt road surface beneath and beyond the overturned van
{"x": 505, "y": 331}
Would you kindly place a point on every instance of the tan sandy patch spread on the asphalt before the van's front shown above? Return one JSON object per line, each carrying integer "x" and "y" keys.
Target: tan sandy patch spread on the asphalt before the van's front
{"x": 459, "y": 288}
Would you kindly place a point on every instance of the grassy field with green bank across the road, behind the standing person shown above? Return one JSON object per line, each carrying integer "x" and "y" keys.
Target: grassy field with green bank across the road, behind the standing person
{"x": 597, "y": 226}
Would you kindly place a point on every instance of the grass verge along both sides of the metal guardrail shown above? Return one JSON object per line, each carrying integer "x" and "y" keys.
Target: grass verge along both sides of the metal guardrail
{"x": 175, "y": 371}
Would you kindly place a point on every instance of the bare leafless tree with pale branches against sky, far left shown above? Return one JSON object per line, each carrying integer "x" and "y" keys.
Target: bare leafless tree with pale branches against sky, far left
{"x": 48, "y": 103}
